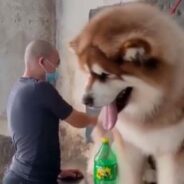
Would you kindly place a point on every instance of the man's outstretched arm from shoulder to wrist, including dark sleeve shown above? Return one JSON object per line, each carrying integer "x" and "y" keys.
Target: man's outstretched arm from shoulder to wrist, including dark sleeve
{"x": 52, "y": 100}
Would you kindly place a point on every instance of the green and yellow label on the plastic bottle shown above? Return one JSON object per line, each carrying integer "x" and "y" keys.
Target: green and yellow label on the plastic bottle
{"x": 106, "y": 173}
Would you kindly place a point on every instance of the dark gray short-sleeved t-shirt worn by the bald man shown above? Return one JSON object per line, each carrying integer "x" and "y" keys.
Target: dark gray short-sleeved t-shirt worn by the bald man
{"x": 34, "y": 109}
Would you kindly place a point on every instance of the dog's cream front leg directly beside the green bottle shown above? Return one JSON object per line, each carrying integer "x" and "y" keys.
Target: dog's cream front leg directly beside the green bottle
{"x": 130, "y": 162}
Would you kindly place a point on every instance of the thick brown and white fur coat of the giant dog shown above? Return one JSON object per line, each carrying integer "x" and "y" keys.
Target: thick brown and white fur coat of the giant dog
{"x": 138, "y": 46}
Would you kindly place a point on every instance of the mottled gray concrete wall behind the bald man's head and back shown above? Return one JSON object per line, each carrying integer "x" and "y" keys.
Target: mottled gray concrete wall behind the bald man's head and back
{"x": 20, "y": 22}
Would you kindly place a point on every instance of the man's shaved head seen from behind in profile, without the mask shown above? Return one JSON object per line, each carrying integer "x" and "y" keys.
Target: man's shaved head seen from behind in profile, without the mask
{"x": 40, "y": 58}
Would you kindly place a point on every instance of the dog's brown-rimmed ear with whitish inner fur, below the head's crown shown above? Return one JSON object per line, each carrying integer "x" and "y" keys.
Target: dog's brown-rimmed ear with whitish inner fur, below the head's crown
{"x": 138, "y": 51}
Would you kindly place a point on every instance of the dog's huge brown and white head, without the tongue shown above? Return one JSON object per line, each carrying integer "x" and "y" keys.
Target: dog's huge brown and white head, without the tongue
{"x": 128, "y": 53}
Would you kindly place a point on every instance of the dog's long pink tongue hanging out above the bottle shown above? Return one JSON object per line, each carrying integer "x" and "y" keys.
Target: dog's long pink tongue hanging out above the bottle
{"x": 108, "y": 116}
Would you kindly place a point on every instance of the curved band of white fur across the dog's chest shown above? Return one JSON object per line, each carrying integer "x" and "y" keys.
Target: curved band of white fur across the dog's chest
{"x": 155, "y": 141}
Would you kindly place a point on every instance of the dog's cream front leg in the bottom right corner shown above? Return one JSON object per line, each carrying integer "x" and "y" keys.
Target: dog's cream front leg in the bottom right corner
{"x": 170, "y": 168}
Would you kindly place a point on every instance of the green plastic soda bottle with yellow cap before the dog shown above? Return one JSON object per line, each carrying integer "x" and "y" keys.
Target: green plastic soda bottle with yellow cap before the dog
{"x": 105, "y": 165}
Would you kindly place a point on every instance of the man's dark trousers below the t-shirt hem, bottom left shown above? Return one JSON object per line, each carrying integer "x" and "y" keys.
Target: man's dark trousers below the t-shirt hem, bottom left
{"x": 12, "y": 178}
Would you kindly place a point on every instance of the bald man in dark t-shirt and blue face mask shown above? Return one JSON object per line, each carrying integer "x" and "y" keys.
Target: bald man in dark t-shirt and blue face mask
{"x": 34, "y": 110}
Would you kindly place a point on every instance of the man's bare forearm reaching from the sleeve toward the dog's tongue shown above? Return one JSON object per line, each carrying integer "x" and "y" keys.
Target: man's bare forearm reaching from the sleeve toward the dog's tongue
{"x": 80, "y": 119}
